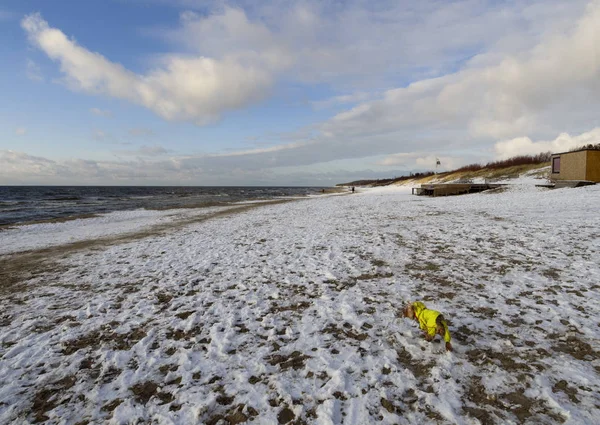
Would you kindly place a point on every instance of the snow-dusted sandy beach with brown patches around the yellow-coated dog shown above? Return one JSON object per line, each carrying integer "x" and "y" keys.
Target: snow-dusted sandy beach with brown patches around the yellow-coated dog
{"x": 288, "y": 313}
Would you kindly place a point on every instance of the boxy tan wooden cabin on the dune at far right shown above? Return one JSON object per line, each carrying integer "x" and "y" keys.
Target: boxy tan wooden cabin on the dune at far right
{"x": 581, "y": 165}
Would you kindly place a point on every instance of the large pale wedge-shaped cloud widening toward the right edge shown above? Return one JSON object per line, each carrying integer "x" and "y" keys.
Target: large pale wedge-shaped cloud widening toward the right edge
{"x": 536, "y": 93}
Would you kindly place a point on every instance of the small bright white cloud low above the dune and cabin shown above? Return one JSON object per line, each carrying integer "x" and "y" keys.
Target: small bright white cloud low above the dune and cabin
{"x": 525, "y": 146}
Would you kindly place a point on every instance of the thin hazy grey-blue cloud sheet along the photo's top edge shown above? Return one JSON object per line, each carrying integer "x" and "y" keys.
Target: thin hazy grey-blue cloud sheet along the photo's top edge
{"x": 364, "y": 44}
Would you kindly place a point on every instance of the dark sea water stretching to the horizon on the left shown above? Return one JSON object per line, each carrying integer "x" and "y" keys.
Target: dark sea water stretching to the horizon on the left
{"x": 20, "y": 204}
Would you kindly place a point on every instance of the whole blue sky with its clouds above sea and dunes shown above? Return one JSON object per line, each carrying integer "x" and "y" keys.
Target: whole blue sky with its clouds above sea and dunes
{"x": 288, "y": 93}
